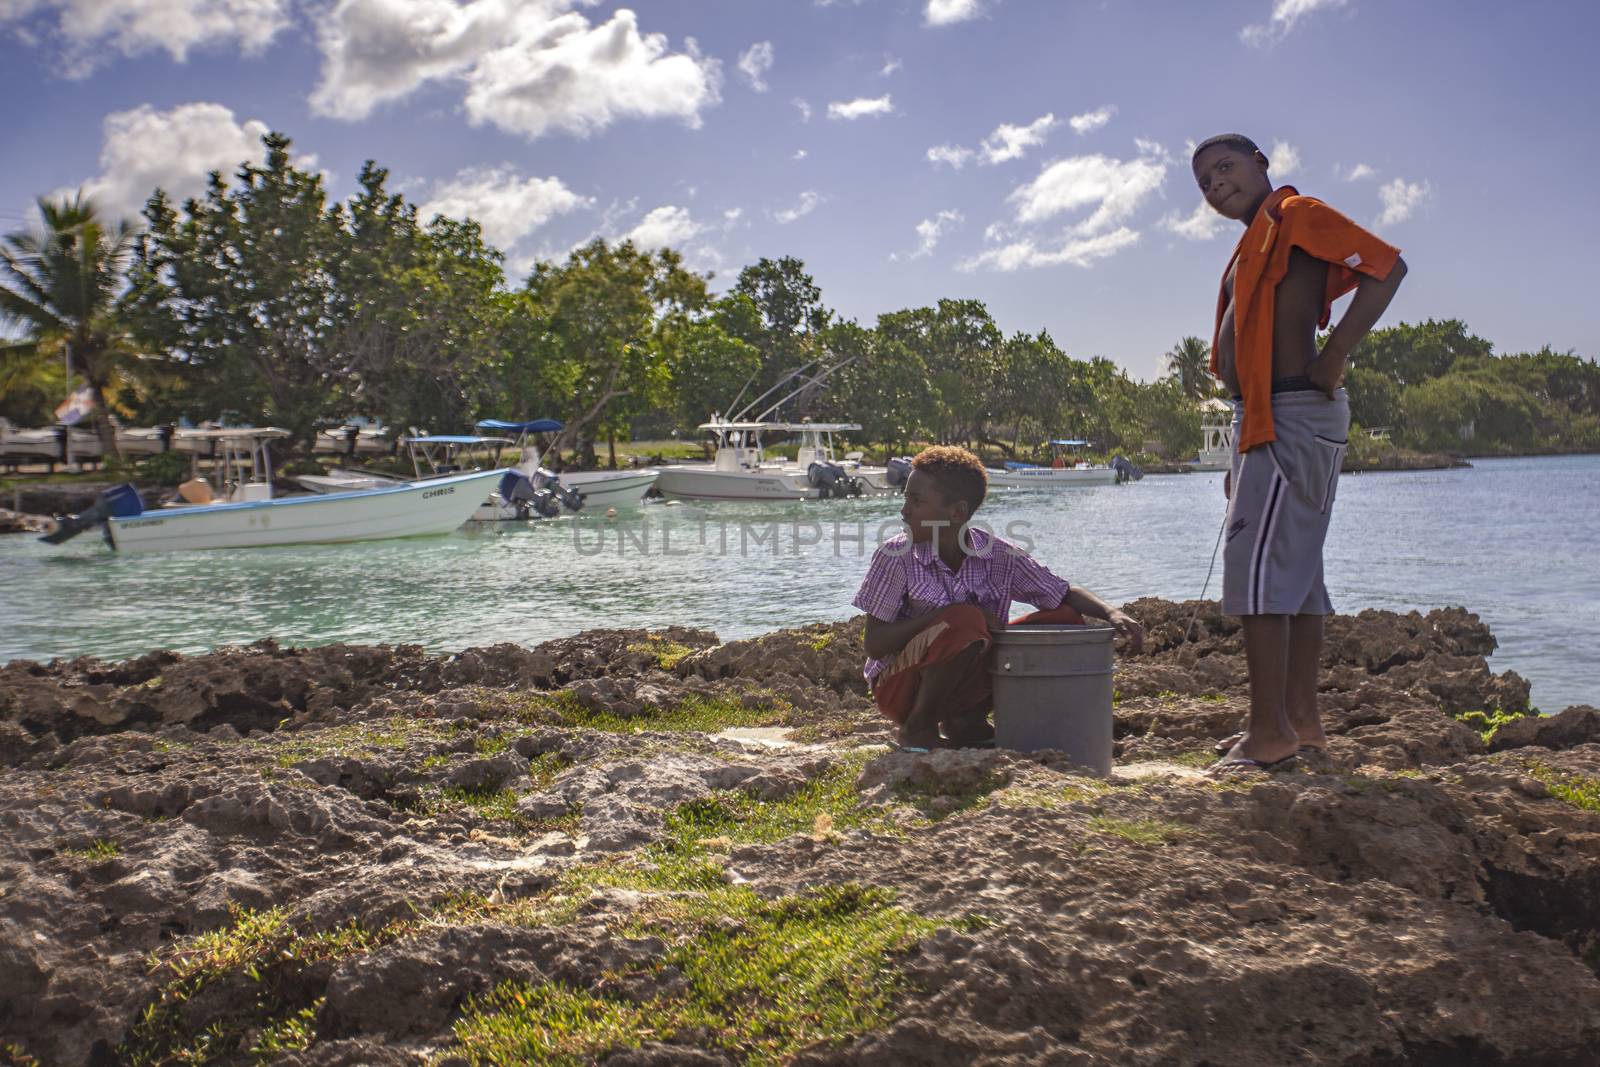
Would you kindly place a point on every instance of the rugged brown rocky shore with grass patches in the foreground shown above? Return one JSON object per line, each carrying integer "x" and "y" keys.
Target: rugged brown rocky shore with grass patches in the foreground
{"x": 657, "y": 849}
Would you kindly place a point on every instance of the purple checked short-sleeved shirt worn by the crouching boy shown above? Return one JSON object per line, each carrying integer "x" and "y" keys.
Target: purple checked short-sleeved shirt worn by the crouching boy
{"x": 911, "y": 580}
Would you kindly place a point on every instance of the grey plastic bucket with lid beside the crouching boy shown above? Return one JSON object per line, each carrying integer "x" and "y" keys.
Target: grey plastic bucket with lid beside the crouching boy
{"x": 1052, "y": 689}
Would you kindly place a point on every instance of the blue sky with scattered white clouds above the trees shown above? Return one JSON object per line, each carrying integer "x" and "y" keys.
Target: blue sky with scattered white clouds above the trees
{"x": 1026, "y": 153}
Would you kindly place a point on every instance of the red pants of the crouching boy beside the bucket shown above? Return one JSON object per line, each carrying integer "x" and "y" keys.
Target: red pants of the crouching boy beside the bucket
{"x": 958, "y": 629}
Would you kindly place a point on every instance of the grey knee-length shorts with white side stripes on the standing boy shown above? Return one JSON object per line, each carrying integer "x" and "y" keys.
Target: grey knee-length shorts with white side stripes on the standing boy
{"x": 1278, "y": 516}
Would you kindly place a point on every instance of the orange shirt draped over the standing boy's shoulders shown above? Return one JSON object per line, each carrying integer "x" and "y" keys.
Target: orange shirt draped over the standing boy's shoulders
{"x": 1287, "y": 222}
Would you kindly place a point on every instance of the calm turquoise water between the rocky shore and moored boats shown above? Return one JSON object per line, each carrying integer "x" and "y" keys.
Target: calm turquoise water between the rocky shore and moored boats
{"x": 1513, "y": 540}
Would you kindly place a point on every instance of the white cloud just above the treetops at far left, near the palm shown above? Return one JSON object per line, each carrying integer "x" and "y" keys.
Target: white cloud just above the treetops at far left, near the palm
{"x": 172, "y": 150}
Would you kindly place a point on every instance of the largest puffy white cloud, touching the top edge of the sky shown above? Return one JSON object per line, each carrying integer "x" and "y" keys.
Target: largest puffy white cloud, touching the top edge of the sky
{"x": 529, "y": 66}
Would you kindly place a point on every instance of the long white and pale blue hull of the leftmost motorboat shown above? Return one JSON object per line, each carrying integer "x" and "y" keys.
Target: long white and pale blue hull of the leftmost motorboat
{"x": 407, "y": 511}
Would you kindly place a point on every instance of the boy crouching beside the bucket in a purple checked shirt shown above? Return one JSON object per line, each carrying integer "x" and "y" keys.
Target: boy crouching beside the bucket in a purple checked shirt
{"x": 937, "y": 597}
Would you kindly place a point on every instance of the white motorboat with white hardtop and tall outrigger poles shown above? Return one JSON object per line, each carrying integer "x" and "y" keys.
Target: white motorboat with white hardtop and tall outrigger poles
{"x": 742, "y": 473}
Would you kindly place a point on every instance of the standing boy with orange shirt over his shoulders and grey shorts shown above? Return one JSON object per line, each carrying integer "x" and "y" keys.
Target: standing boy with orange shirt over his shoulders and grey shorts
{"x": 1290, "y": 426}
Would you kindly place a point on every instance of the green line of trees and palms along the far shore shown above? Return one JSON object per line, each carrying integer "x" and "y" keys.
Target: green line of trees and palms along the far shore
{"x": 266, "y": 302}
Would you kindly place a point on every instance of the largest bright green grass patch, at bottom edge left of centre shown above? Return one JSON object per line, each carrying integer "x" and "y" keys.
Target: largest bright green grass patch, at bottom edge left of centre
{"x": 764, "y": 980}
